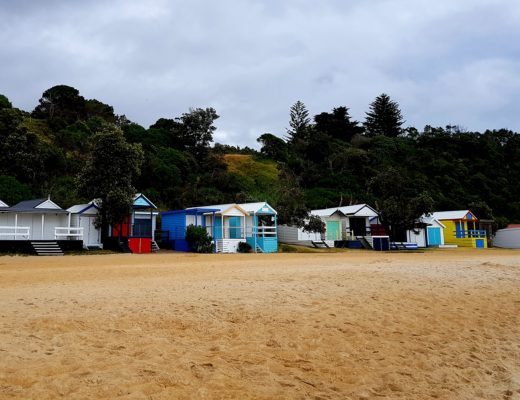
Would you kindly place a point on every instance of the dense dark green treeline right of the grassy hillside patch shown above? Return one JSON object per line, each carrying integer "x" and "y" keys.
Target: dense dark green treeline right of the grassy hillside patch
{"x": 402, "y": 171}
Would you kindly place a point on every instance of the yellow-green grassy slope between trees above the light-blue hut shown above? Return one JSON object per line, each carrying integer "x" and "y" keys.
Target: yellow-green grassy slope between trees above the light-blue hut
{"x": 258, "y": 179}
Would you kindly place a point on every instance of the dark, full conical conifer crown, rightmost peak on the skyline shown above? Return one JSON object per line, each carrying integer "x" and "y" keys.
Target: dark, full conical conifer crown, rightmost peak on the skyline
{"x": 384, "y": 117}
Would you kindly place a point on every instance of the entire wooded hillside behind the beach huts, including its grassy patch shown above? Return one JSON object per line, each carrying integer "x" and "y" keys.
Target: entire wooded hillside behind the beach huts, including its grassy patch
{"x": 322, "y": 161}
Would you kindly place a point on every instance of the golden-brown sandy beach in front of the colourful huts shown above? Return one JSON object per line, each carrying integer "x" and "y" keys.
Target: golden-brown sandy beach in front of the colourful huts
{"x": 350, "y": 325}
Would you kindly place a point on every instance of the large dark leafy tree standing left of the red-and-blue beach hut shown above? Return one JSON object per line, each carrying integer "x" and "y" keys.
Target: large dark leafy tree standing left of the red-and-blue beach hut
{"x": 112, "y": 166}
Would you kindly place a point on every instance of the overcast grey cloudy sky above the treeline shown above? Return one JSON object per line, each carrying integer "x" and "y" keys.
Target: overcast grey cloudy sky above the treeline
{"x": 444, "y": 61}
